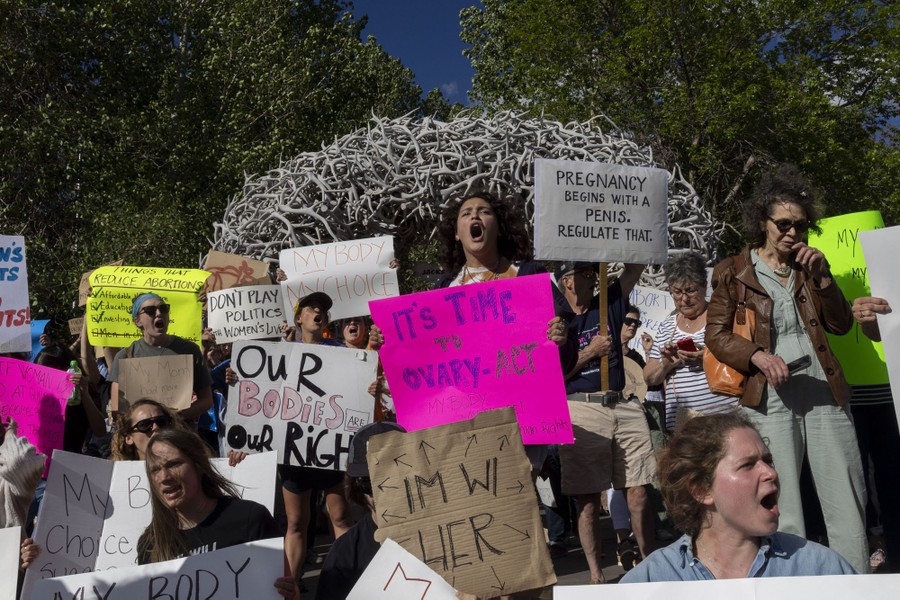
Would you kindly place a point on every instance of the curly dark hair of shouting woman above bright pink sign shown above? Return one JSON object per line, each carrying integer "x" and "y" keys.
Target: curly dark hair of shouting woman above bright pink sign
{"x": 513, "y": 241}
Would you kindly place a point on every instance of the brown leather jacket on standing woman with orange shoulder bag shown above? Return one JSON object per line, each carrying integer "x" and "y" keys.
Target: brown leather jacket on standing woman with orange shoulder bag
{"x": 822, "y": 309}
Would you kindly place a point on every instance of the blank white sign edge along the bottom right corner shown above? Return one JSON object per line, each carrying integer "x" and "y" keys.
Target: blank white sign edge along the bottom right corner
{"x": 824, "y": 587}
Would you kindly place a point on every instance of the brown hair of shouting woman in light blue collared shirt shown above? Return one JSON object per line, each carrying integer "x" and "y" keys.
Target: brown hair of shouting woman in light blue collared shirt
{"x": 687, "y": 466}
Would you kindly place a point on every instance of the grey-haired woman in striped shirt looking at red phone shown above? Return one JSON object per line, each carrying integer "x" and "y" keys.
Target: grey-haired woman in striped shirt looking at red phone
{"x": 676, "y": 358}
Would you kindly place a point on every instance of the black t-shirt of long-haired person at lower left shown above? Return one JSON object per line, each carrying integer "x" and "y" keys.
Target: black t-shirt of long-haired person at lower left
{"x": 233, "y": 521}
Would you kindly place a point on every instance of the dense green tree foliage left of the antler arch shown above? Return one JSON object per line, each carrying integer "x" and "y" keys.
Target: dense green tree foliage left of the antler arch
{"x": 125, "y": 125}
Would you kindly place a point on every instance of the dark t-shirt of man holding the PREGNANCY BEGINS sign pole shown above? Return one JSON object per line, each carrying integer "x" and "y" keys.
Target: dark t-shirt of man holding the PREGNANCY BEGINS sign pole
{"x": 584, "y": 327}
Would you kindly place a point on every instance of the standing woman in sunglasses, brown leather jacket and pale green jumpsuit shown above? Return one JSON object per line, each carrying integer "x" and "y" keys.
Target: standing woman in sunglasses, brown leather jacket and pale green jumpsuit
{"x": 795, "y": 392}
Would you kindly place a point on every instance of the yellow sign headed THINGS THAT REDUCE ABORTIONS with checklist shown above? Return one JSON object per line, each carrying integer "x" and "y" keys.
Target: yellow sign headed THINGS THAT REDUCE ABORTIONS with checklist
{"x": 113, "y": 289}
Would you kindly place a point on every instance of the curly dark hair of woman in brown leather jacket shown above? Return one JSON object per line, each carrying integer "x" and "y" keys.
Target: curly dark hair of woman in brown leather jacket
{"x": 786, "y": 184}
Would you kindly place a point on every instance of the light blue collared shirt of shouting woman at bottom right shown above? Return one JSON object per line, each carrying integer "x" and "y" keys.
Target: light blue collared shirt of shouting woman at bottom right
{"x": 780, "y": 555}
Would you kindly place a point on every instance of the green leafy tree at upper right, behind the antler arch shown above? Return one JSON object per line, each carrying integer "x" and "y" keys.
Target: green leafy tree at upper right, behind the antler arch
{"x": 723, "y": 89}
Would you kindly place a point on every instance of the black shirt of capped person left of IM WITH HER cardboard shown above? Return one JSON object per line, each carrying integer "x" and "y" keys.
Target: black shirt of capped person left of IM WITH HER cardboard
{"x": 347, "y": 559}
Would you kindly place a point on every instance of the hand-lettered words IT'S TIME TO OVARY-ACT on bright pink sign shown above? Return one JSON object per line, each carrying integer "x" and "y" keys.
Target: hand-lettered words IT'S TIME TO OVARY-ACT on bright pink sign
{"x": 469, "y": 307}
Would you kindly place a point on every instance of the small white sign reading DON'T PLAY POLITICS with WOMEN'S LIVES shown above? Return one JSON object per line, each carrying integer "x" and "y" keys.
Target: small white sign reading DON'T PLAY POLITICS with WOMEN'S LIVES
{"x": 246, "y": 313}
